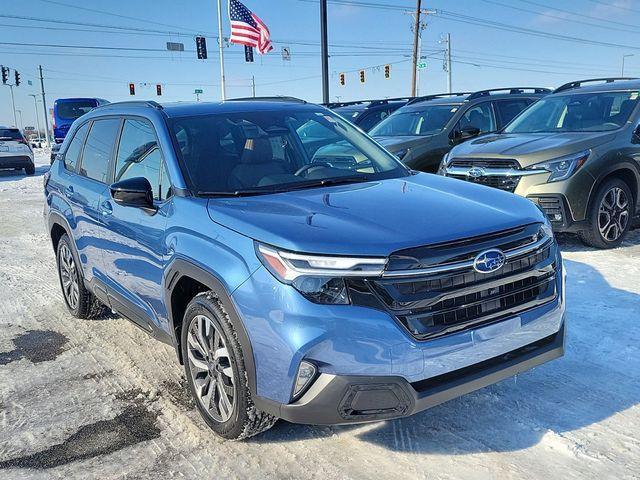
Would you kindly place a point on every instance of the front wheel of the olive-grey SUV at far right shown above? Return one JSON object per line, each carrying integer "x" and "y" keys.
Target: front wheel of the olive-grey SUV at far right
{"x": 609, "y": 216}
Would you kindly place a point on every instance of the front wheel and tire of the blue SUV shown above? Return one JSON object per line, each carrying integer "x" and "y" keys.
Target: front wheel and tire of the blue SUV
{"x": 214, "y": 378}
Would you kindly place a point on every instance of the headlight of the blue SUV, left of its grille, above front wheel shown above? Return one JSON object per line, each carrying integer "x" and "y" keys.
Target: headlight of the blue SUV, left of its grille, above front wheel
{"x": 318, "y": 278}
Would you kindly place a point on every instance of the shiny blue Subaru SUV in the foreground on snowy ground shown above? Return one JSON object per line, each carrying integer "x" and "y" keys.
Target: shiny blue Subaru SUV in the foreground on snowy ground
{"x": 292, "y": 283}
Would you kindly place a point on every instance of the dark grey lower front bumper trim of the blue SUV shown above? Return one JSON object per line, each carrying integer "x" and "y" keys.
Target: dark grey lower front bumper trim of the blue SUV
{"x": 340, "y": 399}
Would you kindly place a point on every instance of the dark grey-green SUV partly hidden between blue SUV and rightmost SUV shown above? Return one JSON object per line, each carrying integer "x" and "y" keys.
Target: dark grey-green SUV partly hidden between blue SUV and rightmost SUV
{"x": 421, "y": 132}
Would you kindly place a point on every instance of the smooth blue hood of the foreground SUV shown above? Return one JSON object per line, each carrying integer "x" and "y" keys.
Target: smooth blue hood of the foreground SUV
{"x": 374, "y": 218}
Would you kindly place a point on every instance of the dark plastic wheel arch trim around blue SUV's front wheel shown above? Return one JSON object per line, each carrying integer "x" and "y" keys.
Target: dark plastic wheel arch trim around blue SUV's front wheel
{"x": 180, "y": 268}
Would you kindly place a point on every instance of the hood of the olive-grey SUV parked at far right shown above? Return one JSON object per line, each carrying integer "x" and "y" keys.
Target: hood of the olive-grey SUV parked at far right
{"x": 531, "y": 148}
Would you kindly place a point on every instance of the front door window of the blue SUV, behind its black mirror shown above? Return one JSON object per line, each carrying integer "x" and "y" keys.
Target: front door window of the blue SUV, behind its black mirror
{"x": 139, "y": 156}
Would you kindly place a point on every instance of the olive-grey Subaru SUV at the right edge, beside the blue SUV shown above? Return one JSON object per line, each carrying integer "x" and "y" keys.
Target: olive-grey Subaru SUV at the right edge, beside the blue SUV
{"x": 575, "y": 153}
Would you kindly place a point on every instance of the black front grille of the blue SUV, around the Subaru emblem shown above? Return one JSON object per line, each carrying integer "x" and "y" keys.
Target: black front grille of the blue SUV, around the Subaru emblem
{"x": 434, "y": 304}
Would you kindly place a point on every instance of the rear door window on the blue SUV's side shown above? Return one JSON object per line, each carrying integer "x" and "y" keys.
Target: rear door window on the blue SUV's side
{"x": 99, "y": 148}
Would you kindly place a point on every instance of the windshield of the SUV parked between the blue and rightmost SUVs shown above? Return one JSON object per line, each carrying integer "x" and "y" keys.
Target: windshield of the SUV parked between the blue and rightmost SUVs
{"x": 415, "y": 122}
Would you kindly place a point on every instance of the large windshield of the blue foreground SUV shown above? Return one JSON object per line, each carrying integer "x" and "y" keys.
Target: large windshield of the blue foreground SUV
{"x": 272, "y": 151}
